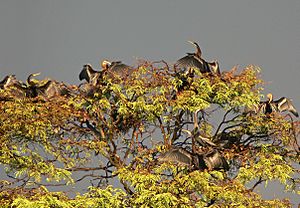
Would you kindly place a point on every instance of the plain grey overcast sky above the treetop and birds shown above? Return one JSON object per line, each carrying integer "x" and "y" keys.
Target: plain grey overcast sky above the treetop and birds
{"x": 57, "y": 37}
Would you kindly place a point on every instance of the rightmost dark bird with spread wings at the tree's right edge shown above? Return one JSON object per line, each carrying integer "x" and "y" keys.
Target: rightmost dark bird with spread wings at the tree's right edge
{"x": 280, "y": 105}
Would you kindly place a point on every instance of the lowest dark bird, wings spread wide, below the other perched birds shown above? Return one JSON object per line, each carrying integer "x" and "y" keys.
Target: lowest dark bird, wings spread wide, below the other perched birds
{"x": 211, "y": 159}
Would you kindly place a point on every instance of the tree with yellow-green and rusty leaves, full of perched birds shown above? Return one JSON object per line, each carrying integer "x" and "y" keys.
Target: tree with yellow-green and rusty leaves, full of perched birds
{"x": 114, "y": 137}
